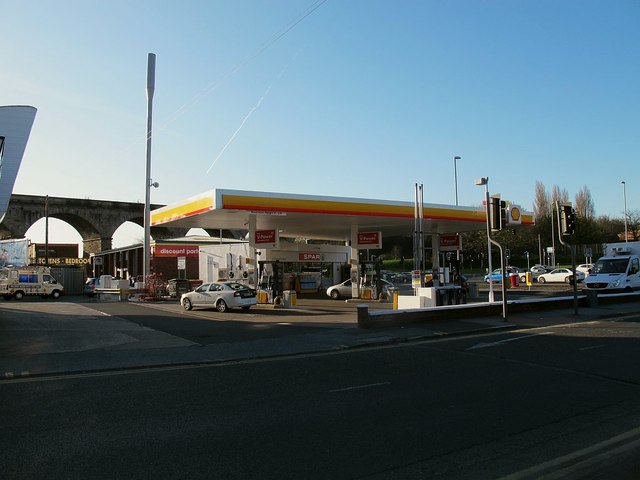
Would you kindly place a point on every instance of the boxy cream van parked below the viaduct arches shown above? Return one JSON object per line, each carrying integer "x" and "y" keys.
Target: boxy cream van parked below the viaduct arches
{"x": 16, "y": 282}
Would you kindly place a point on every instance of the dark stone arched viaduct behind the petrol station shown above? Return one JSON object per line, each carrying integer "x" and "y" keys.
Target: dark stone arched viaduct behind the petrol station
{"x": 95, "y": 220}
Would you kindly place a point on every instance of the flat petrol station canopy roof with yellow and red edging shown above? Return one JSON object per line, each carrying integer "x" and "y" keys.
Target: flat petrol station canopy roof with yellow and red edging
{"x": 316, "y": 217}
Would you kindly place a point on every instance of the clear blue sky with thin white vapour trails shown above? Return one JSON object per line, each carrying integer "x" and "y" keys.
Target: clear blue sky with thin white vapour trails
{"x": 358, "y": 98}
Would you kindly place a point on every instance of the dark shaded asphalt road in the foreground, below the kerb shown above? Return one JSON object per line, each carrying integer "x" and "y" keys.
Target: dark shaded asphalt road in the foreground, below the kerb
{"x": 560, "y": 400}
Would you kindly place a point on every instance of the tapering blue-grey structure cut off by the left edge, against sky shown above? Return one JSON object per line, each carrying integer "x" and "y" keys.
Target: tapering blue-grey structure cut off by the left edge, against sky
{"x": 15, "y": 127}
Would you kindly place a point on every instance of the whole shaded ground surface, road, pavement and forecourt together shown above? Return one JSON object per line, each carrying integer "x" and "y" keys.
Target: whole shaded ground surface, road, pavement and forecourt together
{"x": 550, "y": 395}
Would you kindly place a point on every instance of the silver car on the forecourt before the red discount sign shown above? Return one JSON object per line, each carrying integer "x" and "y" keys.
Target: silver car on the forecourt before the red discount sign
{"x": 221, "y": 296}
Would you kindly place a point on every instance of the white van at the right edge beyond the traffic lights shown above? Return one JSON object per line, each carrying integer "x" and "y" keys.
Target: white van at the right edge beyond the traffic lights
{"x": 617, "y": 271}
